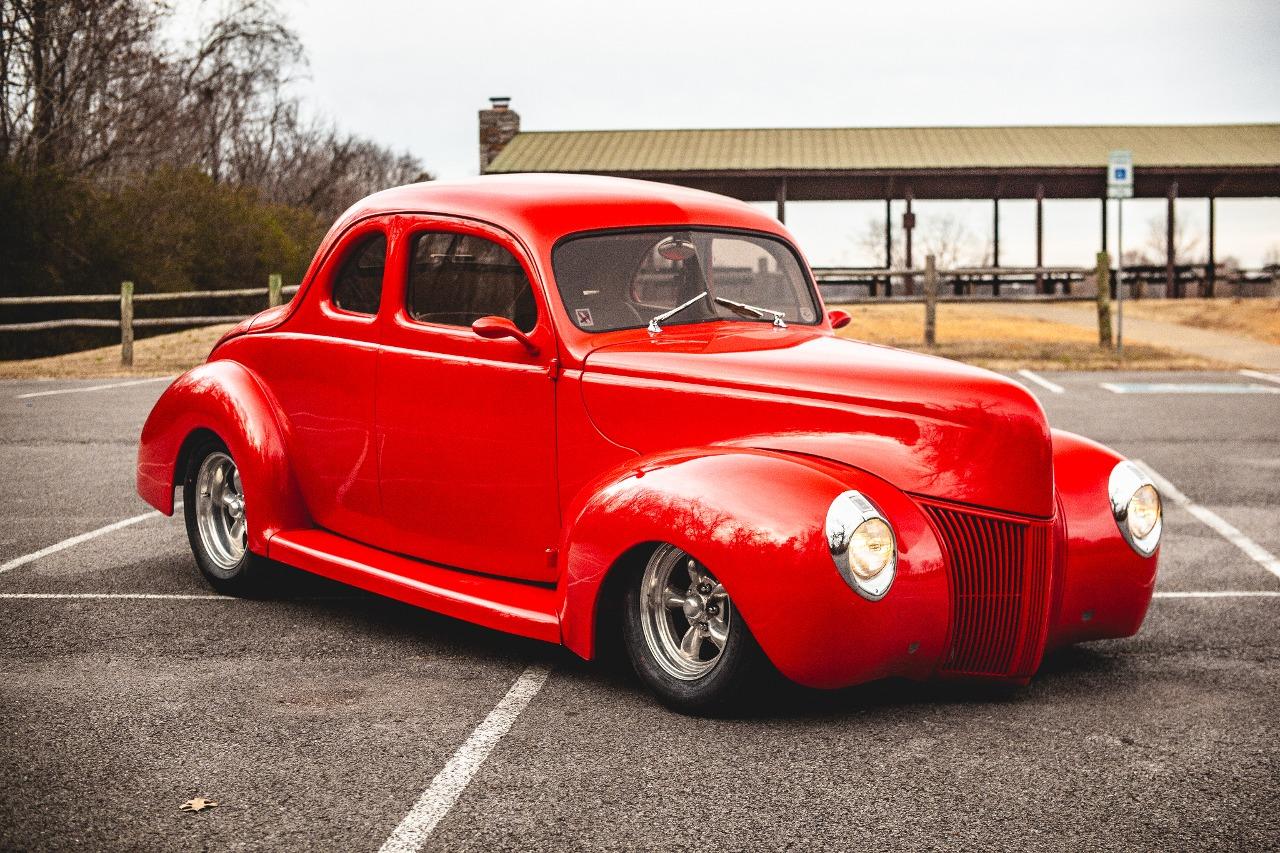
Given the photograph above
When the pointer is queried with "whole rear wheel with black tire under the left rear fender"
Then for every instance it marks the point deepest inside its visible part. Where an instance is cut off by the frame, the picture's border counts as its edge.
(217, 526)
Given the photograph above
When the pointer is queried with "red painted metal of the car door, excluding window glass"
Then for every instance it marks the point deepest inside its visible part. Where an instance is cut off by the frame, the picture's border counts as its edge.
(467, 435)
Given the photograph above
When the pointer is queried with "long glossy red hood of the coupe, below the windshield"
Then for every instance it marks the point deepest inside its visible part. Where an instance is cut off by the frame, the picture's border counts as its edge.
(929, 426)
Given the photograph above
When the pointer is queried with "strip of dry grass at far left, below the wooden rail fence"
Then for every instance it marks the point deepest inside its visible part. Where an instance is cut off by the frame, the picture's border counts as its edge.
(157, 357)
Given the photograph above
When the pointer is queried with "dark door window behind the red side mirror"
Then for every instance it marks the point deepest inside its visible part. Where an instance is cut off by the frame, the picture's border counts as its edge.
(456, 280)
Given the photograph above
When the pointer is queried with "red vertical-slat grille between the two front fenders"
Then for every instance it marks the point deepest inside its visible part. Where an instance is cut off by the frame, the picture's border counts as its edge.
(1000, 586)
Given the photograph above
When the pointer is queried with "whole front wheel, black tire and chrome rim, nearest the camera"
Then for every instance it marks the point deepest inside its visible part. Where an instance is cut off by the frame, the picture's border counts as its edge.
(685, 640)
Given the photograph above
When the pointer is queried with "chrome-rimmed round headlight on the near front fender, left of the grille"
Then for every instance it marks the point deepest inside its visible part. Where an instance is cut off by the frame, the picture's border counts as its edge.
(862, 545)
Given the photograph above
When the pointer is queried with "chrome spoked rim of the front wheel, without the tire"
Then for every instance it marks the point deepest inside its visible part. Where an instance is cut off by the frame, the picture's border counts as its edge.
(684, 613)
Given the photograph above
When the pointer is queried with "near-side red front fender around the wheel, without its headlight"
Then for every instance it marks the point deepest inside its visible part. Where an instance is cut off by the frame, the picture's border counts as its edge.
(757, 521)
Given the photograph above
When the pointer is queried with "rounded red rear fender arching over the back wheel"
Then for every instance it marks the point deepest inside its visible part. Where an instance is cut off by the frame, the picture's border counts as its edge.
(227, 400)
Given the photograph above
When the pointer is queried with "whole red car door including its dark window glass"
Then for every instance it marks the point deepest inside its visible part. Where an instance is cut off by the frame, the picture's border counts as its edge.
(465, 425)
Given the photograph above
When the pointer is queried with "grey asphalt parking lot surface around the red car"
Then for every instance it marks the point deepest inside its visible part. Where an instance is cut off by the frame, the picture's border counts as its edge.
(318, 718)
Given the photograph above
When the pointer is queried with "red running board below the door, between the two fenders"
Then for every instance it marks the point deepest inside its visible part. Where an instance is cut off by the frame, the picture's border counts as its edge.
(510, 606)
